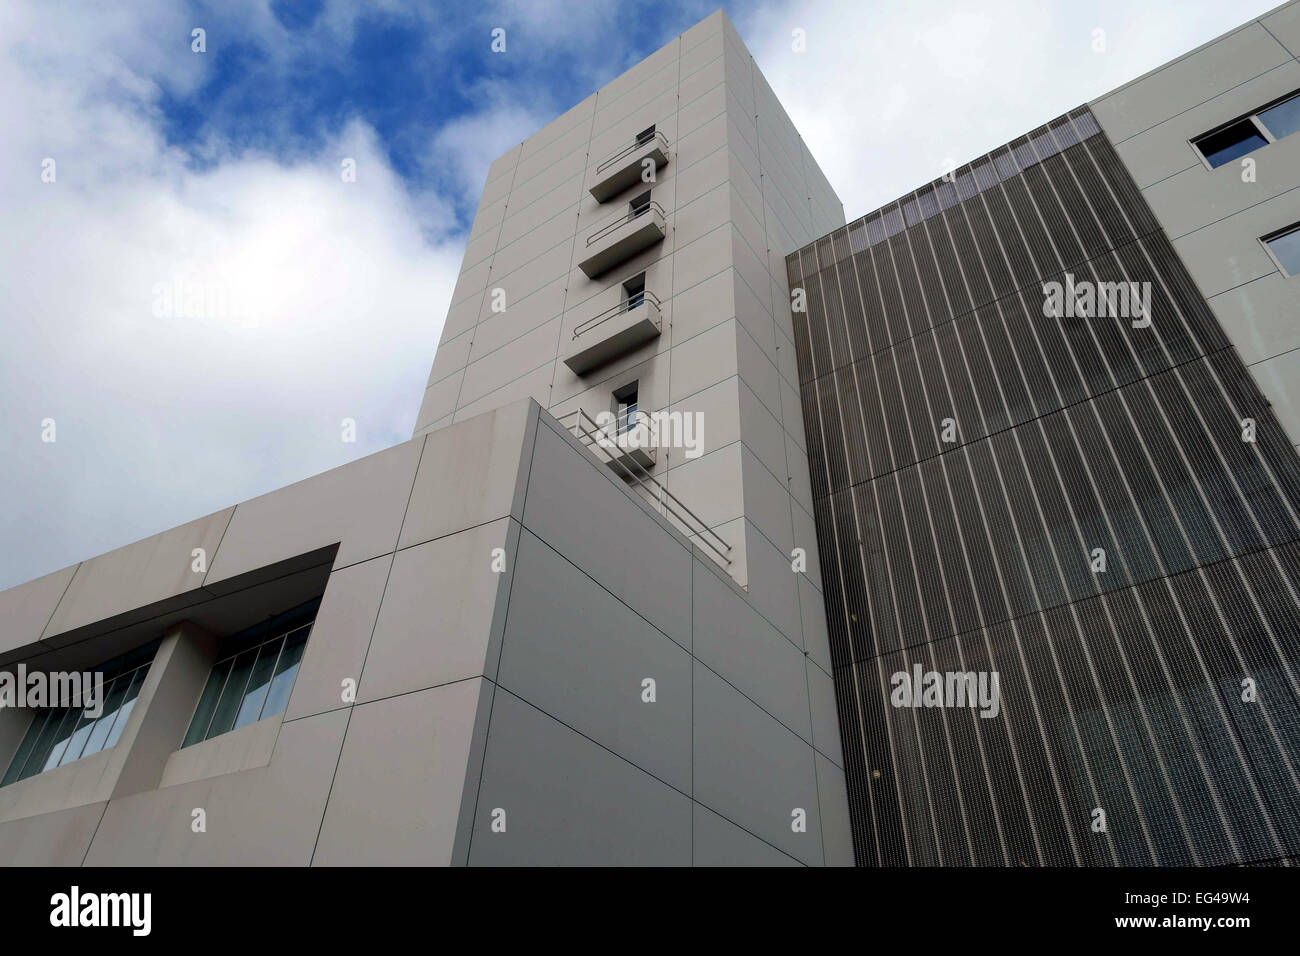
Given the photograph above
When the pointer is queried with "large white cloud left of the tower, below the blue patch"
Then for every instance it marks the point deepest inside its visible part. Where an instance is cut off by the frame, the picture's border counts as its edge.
(166, 416)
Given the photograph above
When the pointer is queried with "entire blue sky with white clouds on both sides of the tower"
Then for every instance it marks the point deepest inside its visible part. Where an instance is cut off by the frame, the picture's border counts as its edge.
(220, 172)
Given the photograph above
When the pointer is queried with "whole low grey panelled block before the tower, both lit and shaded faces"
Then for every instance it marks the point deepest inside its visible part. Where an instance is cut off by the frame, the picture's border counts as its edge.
(484, 680)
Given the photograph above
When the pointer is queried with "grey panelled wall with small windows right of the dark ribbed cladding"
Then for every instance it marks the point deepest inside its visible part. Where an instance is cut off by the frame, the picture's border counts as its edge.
(1214, 217)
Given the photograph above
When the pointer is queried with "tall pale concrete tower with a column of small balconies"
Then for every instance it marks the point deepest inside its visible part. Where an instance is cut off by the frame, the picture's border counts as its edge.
(632, 254)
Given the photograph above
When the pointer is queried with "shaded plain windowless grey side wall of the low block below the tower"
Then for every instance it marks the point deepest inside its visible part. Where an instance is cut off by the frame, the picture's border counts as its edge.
(742, 734)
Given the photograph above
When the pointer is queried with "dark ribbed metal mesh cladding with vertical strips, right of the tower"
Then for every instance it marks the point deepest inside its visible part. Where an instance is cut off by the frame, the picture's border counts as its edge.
(1150, 713)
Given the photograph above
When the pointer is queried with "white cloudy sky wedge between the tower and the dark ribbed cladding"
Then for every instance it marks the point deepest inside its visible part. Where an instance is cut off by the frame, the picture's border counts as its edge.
(886, 93)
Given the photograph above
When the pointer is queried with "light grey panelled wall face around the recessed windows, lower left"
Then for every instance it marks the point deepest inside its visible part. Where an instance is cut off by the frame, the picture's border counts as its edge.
(401, 546)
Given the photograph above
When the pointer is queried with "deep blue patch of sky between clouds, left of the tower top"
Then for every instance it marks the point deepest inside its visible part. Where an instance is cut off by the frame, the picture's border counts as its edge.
(292, 84)
